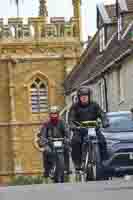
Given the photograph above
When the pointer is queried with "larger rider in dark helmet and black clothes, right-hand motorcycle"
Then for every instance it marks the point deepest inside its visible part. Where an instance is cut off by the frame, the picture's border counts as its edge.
(85, 110)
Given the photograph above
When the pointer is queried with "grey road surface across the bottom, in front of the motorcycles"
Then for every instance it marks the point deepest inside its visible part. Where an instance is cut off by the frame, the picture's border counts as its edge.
(116, 190)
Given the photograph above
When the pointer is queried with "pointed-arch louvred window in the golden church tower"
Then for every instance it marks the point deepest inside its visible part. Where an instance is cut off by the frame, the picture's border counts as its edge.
(39, 96)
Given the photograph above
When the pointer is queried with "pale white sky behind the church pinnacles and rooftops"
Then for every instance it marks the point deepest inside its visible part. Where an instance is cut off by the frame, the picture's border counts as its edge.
(58, 8)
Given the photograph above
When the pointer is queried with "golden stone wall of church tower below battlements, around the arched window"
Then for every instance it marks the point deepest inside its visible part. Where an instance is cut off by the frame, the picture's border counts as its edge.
(21, 61)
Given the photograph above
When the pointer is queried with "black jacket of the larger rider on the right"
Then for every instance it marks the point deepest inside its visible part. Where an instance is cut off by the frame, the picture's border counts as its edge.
(90, 112)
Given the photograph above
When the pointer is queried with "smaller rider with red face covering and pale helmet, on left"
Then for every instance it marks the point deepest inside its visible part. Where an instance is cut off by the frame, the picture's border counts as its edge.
(53, 128)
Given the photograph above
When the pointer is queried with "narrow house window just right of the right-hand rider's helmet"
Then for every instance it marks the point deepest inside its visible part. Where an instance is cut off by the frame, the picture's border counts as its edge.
(102, 96)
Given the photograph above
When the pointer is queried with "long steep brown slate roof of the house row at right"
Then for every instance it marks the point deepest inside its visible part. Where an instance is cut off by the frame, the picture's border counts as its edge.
(92, 64)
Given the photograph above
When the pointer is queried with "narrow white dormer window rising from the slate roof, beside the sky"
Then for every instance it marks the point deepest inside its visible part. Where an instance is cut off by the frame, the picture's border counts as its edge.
(102, 39)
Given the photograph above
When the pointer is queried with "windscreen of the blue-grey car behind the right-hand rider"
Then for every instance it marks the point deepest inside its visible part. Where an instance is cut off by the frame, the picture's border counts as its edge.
(120, 124)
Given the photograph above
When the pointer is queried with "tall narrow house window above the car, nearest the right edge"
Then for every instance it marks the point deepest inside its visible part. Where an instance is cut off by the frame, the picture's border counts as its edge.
(120, 84)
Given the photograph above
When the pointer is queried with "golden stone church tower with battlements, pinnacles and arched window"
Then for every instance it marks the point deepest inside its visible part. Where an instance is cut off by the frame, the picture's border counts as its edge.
(35, 57)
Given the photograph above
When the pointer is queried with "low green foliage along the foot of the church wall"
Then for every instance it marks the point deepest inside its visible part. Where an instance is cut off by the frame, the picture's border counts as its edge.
(26, 180)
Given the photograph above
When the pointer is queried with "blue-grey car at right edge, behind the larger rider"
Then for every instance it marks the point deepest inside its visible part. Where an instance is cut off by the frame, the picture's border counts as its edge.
(119, 143)
